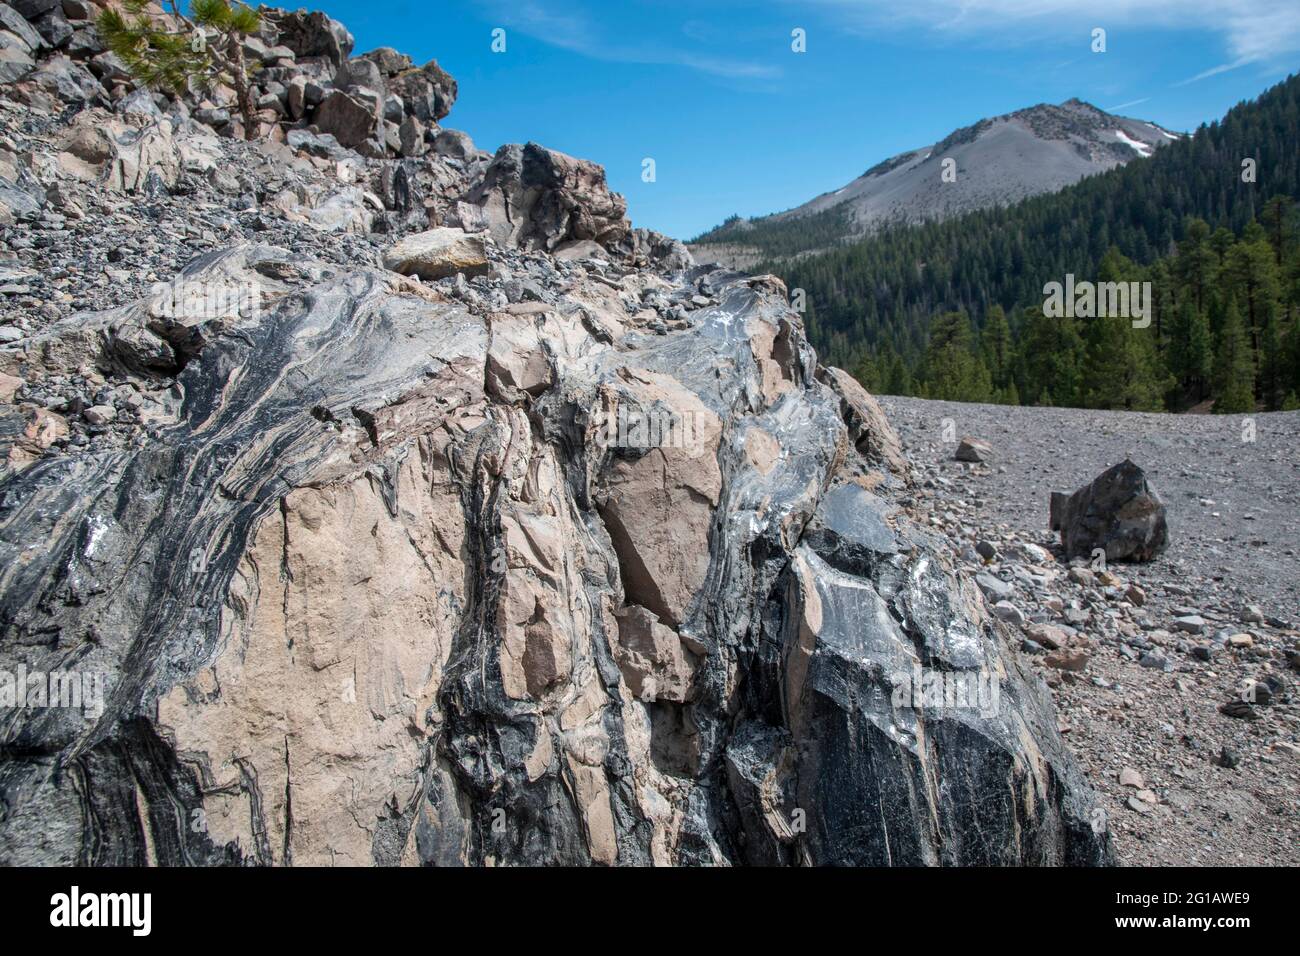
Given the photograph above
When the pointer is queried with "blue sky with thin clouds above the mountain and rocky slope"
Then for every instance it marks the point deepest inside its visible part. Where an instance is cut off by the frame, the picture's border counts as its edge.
(738, 123)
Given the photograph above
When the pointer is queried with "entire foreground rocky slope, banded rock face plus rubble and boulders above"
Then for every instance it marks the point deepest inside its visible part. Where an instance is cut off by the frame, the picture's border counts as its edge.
(415, 509)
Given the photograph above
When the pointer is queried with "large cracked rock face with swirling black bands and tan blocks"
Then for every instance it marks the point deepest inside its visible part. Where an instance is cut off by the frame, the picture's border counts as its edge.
(411, 574)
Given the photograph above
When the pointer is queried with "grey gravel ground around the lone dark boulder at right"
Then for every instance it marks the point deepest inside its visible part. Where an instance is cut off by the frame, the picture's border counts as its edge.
(1211, 789)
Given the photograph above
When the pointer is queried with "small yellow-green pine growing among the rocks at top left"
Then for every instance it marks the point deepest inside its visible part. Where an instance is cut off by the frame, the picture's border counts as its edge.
(172, 51)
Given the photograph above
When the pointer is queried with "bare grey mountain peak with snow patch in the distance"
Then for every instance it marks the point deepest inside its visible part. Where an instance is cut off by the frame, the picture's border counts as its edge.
(995, 162)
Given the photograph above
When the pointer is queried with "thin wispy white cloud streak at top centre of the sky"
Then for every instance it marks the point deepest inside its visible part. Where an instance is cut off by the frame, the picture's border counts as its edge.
(575, 32)
